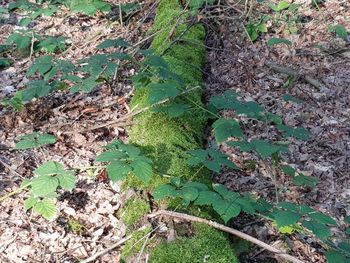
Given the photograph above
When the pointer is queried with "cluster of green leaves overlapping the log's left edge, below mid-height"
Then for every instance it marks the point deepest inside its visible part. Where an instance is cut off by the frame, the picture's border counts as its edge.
(124, 159)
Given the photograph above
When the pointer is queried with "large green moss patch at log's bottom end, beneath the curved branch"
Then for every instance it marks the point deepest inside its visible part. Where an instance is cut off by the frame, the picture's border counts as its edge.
(208, 245)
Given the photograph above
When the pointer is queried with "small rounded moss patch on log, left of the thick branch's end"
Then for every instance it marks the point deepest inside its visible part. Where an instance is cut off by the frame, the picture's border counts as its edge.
(133, 210)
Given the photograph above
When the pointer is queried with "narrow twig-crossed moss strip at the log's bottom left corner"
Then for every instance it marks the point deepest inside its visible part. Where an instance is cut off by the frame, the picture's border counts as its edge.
(134, 245)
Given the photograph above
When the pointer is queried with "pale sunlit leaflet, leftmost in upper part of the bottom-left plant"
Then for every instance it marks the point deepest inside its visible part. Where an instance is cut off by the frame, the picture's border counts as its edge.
(44, 185)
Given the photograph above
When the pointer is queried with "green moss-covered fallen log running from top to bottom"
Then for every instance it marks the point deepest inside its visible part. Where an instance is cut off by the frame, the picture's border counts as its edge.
(166, 140)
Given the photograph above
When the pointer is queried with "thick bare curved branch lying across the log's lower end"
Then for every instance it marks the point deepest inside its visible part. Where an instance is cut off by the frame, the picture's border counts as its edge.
(227, 230)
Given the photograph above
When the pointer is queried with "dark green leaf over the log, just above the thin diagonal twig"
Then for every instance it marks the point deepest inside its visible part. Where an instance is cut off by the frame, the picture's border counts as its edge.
(161, 91)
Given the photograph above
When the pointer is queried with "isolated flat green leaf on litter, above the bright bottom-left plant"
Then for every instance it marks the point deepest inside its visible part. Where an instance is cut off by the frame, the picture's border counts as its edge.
(34, 140)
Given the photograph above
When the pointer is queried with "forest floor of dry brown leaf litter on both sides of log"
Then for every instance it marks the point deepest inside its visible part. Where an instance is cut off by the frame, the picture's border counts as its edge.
(88, 220)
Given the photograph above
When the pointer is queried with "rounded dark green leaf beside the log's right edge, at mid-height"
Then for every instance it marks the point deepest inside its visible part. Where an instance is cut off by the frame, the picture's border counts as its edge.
(223, 129)
